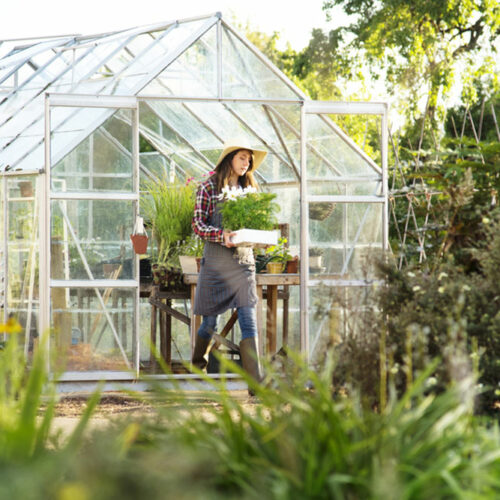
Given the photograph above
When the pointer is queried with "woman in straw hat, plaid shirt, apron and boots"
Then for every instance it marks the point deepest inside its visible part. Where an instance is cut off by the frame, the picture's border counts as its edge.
(227, 275)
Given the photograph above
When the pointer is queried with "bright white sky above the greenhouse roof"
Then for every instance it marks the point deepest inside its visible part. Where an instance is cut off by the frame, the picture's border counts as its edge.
(34, 18)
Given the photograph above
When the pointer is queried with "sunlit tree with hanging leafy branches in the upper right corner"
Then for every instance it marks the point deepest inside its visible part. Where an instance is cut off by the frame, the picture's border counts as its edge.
(420, 46)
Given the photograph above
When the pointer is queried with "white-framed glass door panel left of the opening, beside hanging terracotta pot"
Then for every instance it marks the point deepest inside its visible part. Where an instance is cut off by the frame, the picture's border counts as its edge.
(89, 279)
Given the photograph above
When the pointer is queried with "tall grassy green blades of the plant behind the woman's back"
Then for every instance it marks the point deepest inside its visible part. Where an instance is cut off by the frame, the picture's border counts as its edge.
(168, 209)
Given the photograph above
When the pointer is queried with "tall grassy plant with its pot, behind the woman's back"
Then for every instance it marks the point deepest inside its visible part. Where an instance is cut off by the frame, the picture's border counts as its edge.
(168, 211)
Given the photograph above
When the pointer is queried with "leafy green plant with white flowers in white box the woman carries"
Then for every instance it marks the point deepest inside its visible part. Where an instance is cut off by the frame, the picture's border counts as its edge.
(251, 214)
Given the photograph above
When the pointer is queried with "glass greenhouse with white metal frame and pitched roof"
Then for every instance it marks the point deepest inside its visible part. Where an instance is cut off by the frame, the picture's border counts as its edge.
(88, 122)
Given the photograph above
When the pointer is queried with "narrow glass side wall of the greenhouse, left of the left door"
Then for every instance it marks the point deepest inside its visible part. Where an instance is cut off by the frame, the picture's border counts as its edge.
(22, 248)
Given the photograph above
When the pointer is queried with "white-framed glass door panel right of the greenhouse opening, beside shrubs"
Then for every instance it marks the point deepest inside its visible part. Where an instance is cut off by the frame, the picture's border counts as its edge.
(344, 216)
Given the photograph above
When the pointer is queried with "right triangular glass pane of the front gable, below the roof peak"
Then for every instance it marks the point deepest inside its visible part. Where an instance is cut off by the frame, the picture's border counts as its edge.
(245, 75)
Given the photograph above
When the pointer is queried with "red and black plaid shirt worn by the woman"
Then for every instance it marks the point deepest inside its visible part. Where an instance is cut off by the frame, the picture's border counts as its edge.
(206, 200)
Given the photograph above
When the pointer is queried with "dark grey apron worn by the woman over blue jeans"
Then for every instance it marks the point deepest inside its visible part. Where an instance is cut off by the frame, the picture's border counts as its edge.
(227, 277)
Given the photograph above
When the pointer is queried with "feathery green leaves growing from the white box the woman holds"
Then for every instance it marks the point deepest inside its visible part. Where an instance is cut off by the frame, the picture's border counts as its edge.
(252, 211)
